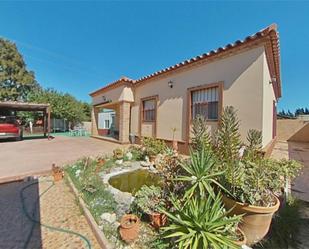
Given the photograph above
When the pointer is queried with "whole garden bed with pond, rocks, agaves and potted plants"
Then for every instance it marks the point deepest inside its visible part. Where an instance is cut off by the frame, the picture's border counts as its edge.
(225, 194)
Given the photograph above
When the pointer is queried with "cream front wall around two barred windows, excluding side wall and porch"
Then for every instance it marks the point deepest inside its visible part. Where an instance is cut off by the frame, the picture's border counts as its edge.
(242, 75)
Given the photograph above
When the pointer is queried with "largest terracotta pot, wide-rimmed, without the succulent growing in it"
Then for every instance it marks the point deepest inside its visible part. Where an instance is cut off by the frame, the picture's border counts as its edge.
(256, 220)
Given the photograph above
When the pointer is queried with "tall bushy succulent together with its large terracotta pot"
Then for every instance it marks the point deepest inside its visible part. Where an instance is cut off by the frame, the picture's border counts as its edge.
(249, 180)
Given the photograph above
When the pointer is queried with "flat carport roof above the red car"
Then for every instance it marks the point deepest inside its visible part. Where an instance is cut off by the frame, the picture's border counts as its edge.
(22, 106)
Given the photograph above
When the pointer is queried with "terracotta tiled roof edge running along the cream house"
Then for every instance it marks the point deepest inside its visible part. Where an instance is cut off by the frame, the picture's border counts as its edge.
(268, 36)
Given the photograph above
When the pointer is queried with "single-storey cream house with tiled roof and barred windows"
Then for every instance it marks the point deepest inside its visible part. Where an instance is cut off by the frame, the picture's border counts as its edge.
(244, 74)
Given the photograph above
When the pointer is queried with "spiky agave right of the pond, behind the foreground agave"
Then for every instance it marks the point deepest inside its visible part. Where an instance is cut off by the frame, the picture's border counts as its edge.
(202, 173)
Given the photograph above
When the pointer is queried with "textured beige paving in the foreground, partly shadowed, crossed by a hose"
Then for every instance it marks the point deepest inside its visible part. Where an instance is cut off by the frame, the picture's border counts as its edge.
(57, 207)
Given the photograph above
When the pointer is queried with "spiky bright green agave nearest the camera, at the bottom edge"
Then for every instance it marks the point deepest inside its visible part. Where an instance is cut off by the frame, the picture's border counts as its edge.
(200, 223)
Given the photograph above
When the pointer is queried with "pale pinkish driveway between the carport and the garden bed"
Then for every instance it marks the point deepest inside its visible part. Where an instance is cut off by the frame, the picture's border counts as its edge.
(35, 156)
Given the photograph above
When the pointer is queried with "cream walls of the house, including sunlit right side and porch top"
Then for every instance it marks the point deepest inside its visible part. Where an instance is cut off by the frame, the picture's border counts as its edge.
(246, 87)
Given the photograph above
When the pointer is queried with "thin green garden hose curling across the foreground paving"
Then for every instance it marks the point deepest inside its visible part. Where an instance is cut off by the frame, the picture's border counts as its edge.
(32, 219)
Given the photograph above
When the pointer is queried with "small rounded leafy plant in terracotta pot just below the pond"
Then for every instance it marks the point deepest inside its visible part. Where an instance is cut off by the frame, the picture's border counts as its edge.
(148, 200)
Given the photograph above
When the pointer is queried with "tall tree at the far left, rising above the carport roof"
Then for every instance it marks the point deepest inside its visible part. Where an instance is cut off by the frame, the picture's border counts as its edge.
(15, 80)
